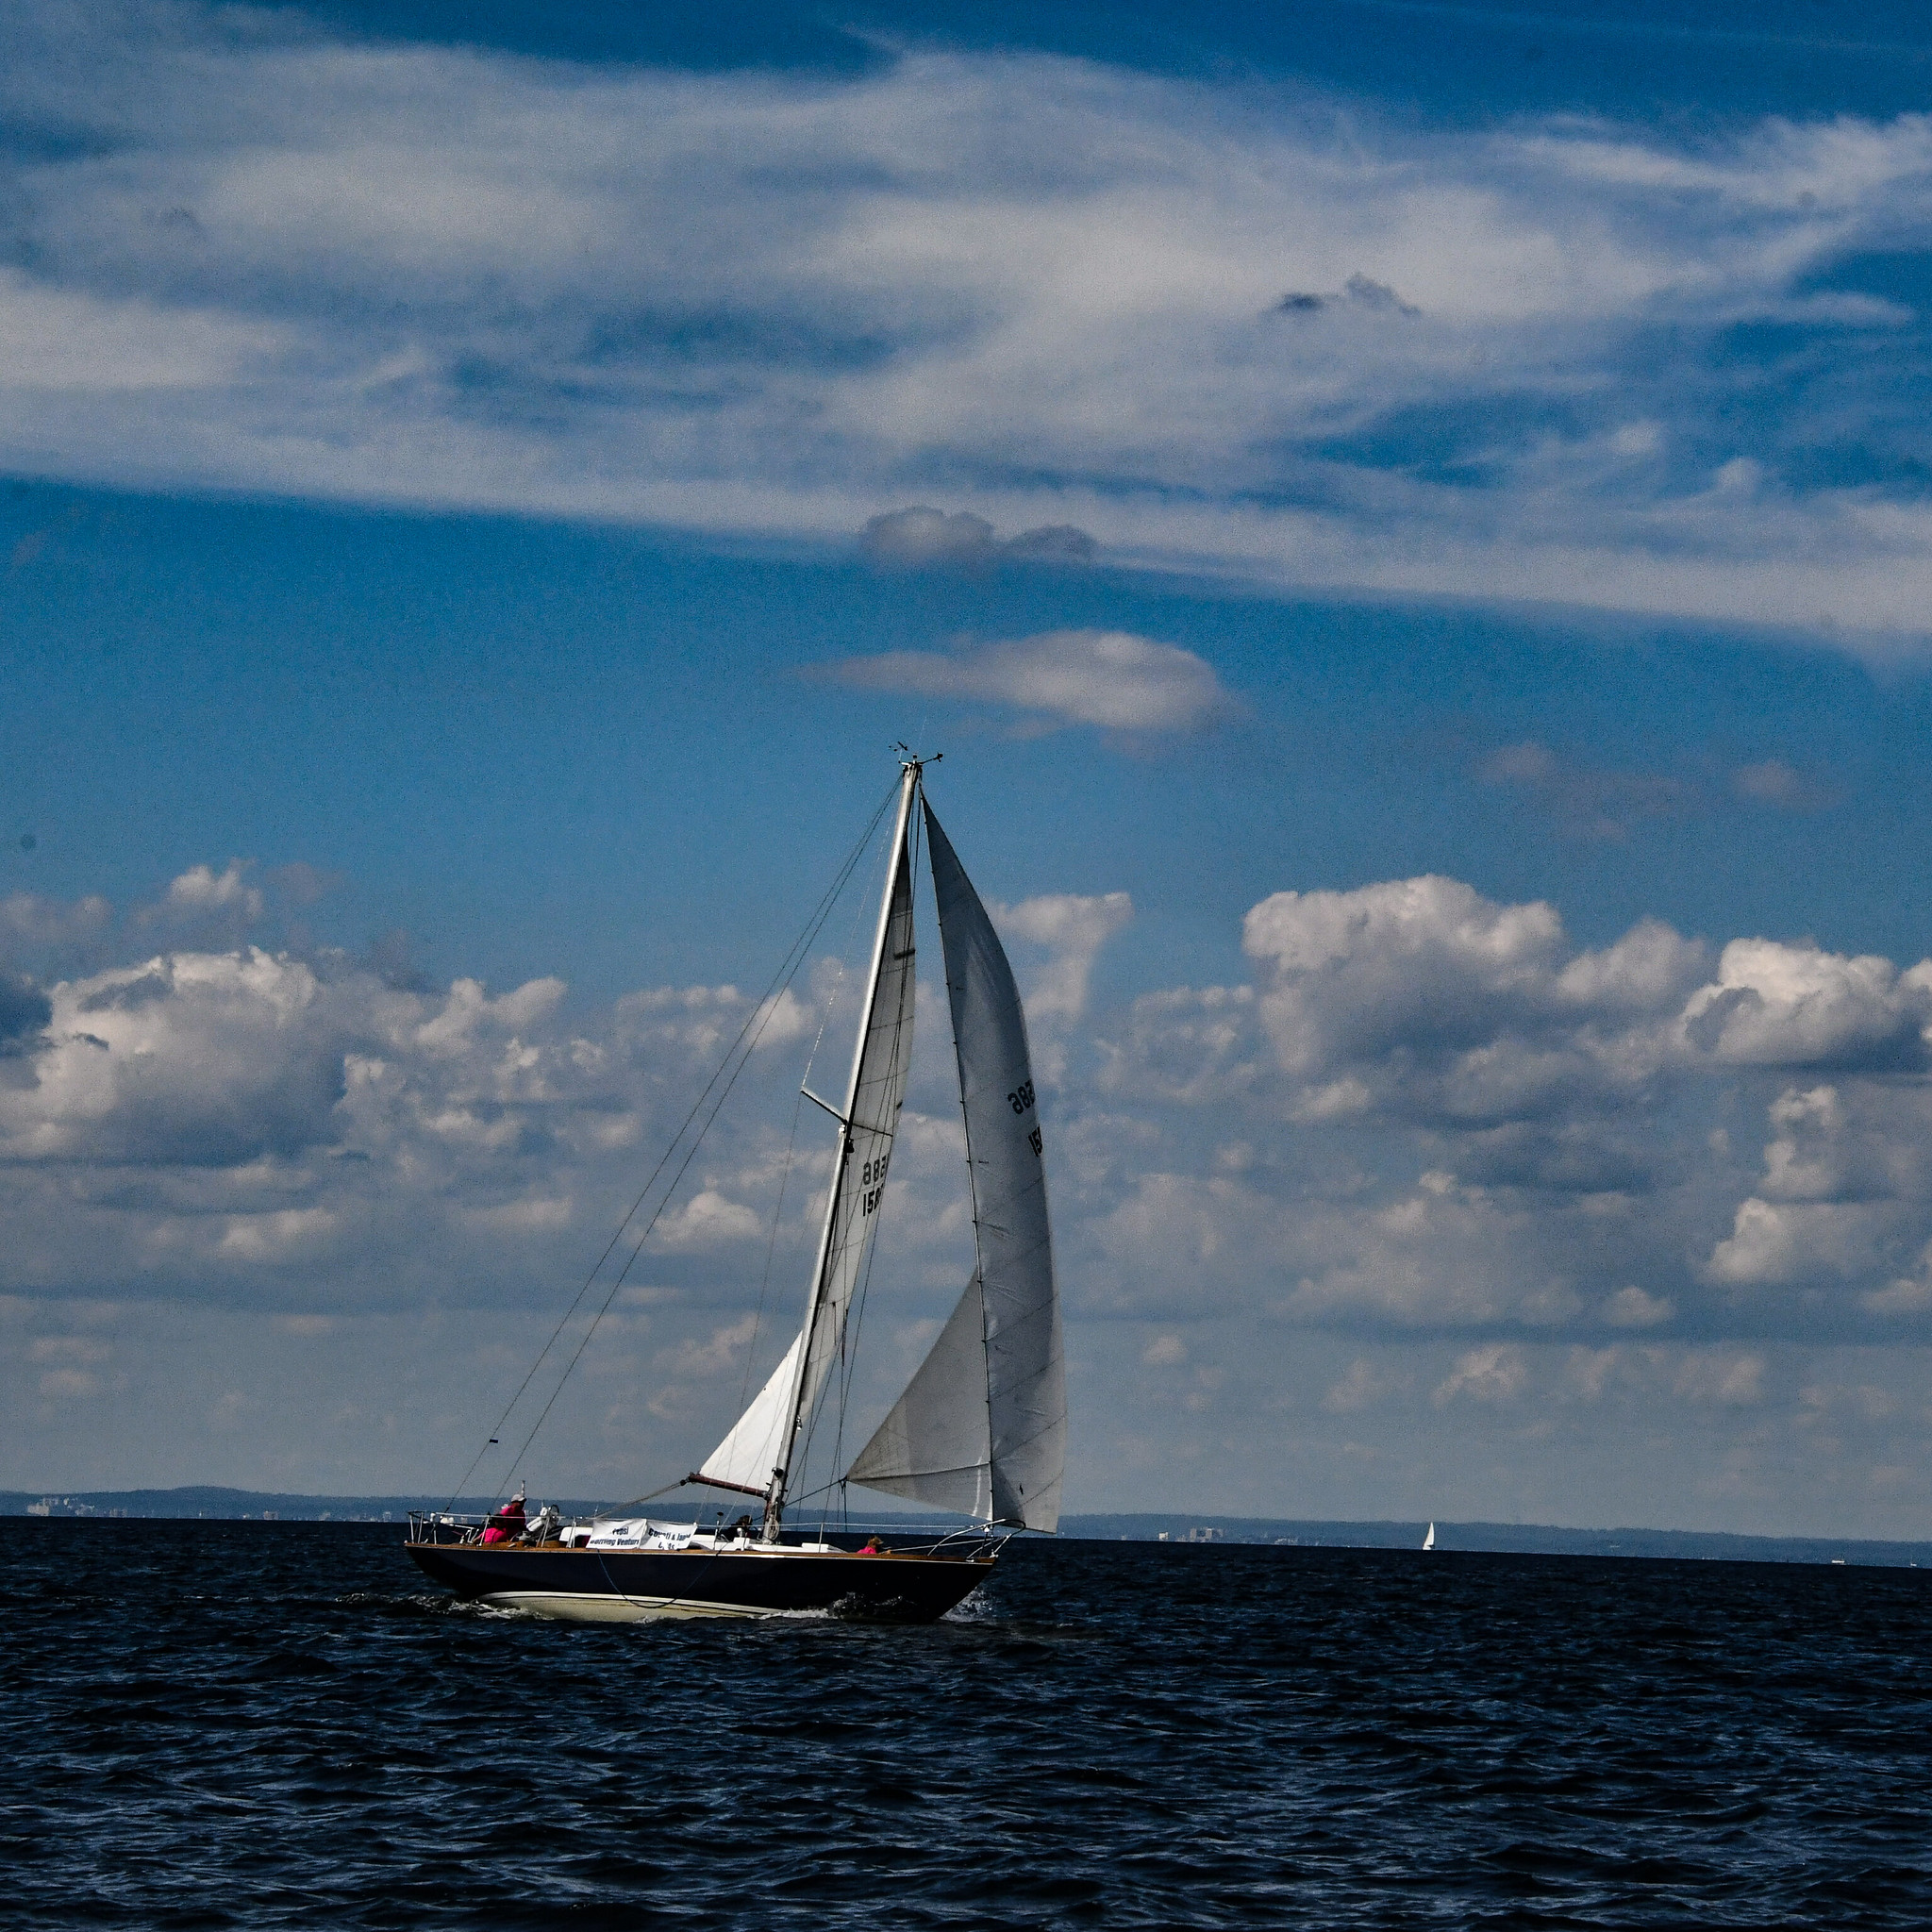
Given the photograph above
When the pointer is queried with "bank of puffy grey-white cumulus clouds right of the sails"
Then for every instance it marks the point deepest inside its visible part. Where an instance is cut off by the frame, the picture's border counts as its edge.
(1558, 1102)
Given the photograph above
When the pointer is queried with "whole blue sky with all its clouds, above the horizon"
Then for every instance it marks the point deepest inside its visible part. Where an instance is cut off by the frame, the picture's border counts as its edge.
(1411, 526)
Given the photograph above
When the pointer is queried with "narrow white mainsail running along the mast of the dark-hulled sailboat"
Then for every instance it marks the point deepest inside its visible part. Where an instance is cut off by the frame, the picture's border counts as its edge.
(760, 1442)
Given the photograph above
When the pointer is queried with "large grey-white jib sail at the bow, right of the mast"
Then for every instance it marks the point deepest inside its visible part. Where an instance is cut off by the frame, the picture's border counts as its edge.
(992, 1421)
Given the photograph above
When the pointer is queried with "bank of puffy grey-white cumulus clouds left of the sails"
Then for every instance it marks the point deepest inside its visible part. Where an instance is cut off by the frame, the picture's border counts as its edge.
(256, 1127)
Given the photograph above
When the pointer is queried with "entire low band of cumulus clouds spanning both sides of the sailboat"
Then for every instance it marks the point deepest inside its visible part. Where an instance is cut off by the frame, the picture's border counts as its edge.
(1435, 1164)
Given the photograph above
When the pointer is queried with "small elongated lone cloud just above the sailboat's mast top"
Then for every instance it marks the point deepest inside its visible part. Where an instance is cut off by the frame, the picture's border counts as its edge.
(1064, 677)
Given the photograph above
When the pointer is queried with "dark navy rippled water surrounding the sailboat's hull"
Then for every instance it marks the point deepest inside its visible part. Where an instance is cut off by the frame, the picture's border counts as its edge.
(219, 1724)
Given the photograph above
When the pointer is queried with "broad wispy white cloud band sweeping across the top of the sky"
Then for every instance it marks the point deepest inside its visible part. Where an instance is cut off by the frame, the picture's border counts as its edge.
(1197, 324)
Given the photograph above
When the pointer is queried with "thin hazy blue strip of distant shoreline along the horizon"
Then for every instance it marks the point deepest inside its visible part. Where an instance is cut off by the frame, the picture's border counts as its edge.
(1500, 1539)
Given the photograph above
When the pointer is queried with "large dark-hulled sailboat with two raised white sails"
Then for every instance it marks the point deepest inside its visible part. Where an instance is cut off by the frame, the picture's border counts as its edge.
(979, 1433)
